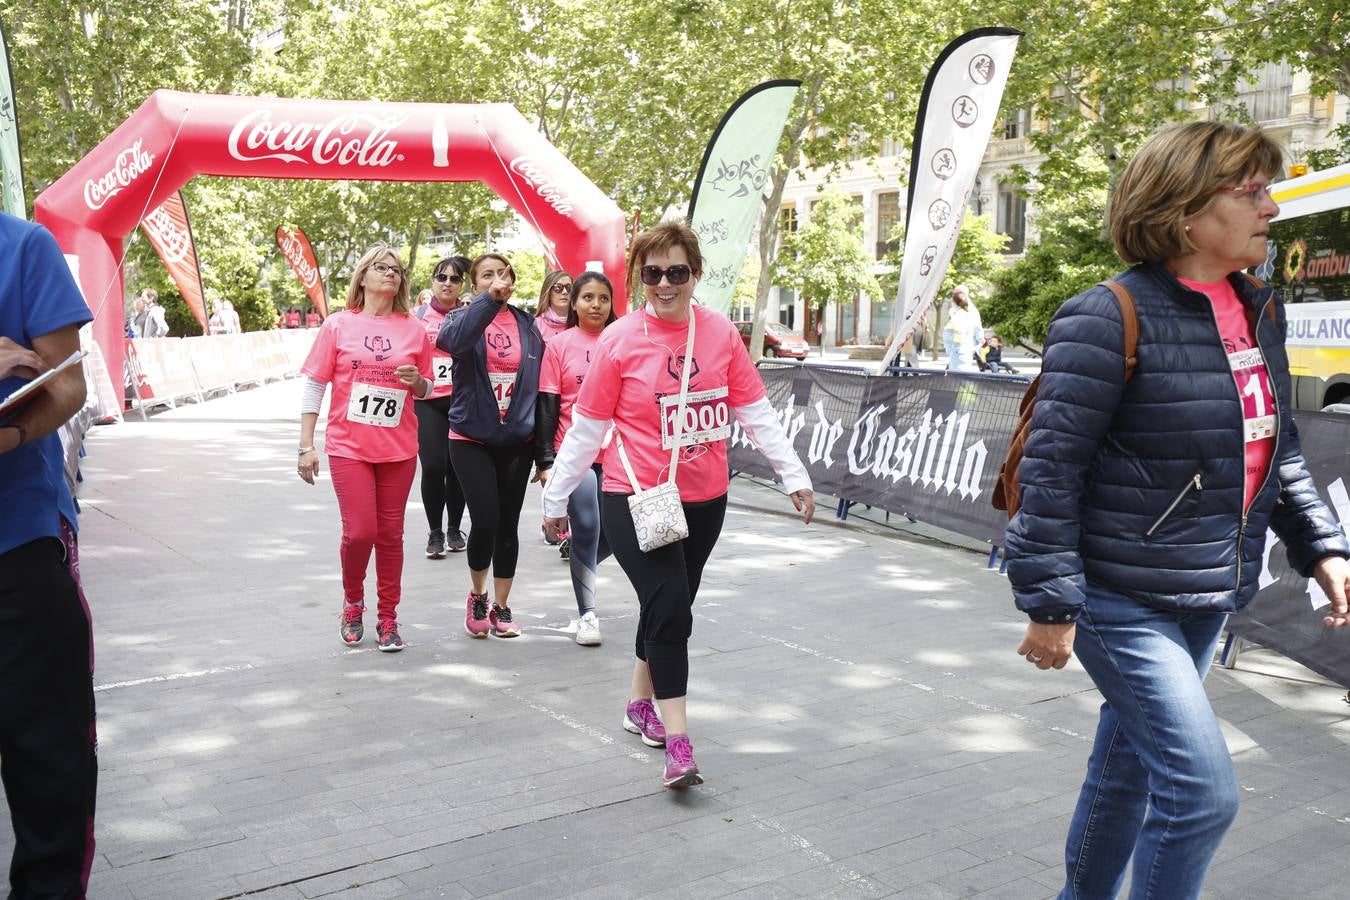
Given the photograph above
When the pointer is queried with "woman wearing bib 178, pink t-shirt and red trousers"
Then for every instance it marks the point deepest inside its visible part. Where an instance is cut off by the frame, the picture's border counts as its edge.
(377, 358)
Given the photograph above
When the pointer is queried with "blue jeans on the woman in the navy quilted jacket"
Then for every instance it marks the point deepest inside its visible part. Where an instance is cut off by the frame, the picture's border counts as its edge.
(1160, 782)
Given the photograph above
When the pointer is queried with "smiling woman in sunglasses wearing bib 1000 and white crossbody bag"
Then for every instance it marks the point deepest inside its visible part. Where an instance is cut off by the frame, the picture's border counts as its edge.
(637, 380)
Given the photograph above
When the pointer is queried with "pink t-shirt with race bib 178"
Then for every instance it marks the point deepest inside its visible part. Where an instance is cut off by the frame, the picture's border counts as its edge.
(369, 415)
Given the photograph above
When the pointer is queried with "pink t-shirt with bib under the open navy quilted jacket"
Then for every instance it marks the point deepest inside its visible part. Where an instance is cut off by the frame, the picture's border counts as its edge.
(1260, 419)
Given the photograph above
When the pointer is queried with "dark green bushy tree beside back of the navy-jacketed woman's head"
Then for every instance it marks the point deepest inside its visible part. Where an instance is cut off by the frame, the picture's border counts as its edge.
(1071, 257)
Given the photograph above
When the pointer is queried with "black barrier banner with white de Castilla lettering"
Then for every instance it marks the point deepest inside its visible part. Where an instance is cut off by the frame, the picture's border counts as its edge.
(929, 446)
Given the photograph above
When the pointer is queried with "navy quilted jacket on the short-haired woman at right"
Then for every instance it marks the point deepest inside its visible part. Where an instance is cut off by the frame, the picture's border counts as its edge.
(1137, 486)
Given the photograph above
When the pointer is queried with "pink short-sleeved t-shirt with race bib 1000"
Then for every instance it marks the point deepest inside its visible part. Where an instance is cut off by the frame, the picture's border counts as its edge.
(635, 380)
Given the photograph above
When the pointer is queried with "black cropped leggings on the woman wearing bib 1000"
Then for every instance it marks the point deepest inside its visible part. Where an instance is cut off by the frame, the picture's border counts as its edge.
(666, 582)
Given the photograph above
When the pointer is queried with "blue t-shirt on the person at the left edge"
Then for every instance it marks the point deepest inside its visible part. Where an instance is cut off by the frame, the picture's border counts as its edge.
(38, 296)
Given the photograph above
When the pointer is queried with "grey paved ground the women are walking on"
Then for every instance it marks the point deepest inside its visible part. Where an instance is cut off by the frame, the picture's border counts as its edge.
(855, 702)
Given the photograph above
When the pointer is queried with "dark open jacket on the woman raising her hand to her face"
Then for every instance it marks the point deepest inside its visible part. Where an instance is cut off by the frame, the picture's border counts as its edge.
(473, 408)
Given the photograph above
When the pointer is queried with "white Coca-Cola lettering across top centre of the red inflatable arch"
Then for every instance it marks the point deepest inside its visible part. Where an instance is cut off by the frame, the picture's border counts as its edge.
(349, 140)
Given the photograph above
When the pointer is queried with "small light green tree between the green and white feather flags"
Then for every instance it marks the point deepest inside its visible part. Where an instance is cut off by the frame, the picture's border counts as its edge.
(827, 261)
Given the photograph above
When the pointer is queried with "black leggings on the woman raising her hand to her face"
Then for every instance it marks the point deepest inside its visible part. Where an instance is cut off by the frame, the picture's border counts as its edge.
(495, 481)
